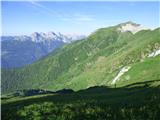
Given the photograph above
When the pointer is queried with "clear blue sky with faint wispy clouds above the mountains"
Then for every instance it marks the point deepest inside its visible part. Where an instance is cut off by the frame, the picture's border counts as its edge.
(74, 17)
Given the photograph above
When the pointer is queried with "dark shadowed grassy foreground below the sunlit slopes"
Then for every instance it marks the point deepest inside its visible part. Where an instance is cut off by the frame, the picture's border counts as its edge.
(139, 101)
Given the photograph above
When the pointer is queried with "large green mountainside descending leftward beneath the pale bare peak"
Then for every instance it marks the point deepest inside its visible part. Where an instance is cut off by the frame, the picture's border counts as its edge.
(91, 62)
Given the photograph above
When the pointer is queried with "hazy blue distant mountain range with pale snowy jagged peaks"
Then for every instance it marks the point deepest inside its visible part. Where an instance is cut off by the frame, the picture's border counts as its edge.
(18, 51)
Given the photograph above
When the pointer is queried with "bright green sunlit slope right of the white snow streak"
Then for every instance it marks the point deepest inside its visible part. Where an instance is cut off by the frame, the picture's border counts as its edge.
(148, 70)
